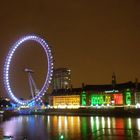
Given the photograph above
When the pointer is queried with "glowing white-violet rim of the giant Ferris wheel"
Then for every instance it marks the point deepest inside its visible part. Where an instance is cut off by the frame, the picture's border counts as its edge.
(48, 78)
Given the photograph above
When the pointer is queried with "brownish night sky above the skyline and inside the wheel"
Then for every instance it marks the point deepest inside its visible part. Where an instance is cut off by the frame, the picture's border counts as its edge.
(92, 38)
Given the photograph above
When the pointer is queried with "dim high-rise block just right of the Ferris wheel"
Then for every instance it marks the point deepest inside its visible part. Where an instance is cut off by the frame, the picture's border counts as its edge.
(61, 79)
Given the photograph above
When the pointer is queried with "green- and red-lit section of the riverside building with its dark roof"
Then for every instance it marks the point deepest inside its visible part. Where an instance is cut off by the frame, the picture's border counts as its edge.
(108, 95)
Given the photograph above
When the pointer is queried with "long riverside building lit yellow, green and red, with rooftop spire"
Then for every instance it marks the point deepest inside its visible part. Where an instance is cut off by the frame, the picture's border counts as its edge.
(107, 95)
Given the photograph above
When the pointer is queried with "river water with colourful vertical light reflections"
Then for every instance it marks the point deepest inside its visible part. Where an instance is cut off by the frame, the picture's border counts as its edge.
(36, 127)
